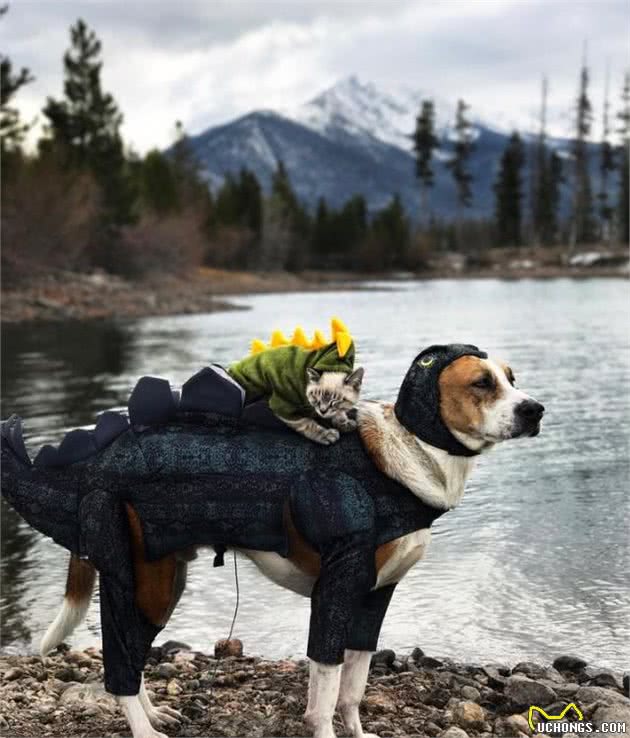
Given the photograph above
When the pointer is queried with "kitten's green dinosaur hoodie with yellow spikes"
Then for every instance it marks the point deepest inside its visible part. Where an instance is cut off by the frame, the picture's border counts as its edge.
(279, 375)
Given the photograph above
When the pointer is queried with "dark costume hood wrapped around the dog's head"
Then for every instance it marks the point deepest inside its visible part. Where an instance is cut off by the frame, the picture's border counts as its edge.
(418, 403)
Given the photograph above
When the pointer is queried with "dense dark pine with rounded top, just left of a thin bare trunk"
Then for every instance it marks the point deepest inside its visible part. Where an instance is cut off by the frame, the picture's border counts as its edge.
(509, 193)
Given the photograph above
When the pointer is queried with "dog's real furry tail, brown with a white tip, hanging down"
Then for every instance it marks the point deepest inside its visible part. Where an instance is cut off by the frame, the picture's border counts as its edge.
(79, 586)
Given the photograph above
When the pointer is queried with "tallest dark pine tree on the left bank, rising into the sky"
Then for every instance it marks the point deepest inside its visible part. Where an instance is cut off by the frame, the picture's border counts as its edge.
(85, 125)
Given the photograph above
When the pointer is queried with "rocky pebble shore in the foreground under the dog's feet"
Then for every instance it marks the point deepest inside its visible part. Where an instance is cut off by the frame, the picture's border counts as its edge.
(236, 695)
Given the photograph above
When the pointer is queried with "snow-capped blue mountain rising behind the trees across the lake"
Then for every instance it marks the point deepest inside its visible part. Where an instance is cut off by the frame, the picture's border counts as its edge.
(354, 138)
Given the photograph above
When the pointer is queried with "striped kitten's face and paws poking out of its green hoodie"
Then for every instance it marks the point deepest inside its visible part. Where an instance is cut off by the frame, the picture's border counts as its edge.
(332, 395)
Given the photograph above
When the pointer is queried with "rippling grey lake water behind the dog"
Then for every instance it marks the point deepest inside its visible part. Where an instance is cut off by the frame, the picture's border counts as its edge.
(534, 562)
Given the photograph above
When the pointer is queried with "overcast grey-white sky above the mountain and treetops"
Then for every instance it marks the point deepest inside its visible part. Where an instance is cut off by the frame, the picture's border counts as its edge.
(208, 62)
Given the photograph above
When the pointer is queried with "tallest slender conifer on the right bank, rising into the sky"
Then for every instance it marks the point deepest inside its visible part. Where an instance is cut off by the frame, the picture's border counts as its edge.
(582, 227)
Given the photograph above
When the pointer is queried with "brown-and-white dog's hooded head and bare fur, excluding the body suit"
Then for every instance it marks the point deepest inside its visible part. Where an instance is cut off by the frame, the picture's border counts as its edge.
(477, 406)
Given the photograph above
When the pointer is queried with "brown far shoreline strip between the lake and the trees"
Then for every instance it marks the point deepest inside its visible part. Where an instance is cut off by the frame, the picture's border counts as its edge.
(61, 295)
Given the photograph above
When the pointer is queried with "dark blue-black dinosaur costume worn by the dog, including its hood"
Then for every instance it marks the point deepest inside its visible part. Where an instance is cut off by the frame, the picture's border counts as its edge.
(204, 469)
